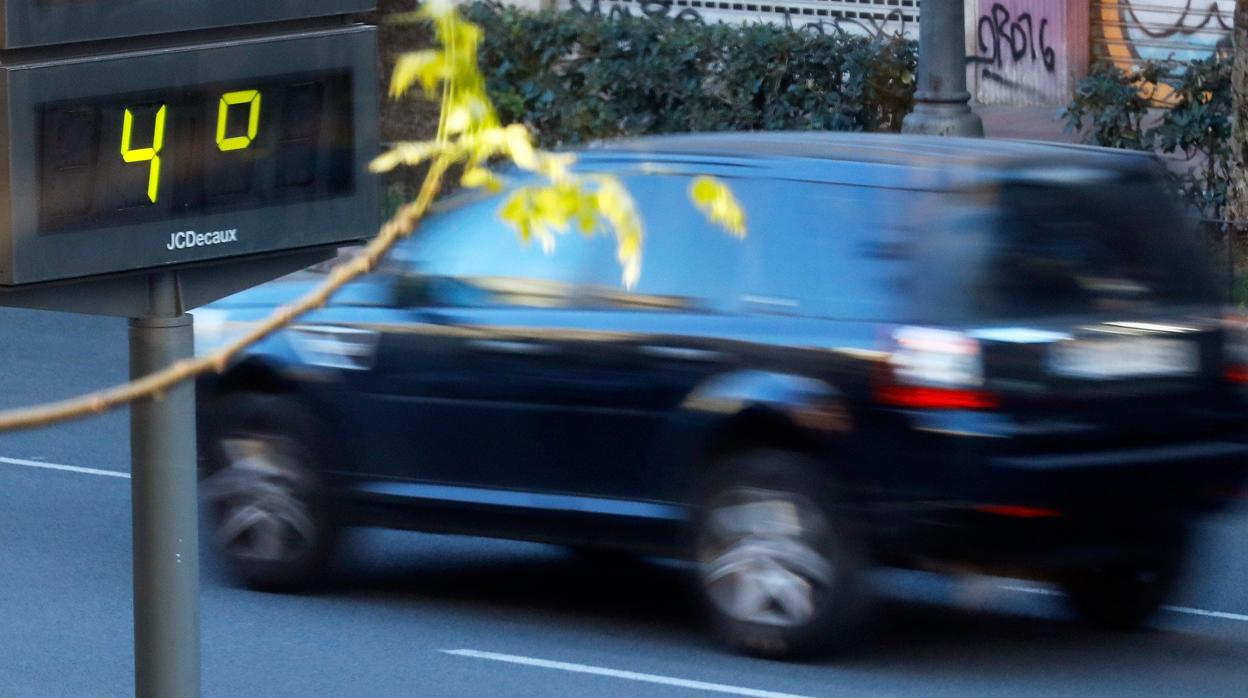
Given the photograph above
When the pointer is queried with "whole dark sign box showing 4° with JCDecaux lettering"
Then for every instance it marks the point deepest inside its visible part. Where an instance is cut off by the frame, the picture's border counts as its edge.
(134, 160)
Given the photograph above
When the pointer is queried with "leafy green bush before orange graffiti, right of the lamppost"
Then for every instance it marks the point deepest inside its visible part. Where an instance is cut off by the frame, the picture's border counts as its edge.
(1111, 108)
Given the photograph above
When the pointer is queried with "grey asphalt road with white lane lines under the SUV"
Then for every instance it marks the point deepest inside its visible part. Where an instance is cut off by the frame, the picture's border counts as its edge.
(429, 616)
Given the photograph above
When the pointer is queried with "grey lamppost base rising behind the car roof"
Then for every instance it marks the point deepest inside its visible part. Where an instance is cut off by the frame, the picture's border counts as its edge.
(942, 98)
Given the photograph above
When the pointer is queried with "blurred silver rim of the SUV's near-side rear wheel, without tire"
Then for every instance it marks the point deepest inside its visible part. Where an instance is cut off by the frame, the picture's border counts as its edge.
(763, 558)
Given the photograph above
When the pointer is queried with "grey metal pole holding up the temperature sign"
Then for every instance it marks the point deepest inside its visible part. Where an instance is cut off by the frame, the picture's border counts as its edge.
(164, 504)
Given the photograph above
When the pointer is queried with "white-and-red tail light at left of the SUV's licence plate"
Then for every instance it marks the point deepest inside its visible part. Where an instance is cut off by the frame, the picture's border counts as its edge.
(932, 369)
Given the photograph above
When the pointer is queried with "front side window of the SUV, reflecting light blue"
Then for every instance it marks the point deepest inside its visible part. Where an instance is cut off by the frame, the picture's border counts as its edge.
(470, 258)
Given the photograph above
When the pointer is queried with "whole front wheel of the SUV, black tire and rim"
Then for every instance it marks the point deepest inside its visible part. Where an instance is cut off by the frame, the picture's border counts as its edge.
(271, 514)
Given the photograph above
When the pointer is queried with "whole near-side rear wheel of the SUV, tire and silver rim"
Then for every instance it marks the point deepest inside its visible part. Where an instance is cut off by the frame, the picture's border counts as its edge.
(779, 568)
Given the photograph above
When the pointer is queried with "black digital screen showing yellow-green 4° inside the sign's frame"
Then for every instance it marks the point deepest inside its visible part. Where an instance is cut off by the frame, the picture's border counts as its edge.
(169, 154)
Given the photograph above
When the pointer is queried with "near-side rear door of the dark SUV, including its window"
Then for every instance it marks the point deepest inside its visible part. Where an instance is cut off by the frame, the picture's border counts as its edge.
(642, 350)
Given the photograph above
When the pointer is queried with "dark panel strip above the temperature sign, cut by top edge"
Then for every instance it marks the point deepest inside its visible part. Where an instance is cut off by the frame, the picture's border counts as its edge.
(42, 23)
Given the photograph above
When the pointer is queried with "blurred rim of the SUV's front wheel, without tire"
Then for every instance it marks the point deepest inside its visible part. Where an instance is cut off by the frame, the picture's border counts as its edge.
(261, 496)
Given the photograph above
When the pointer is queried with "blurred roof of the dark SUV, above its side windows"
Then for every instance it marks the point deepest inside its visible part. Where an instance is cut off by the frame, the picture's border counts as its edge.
(882, 159)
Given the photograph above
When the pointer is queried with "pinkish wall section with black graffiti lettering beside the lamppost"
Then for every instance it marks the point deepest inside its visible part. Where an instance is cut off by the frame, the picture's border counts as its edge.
(1019, 51)
